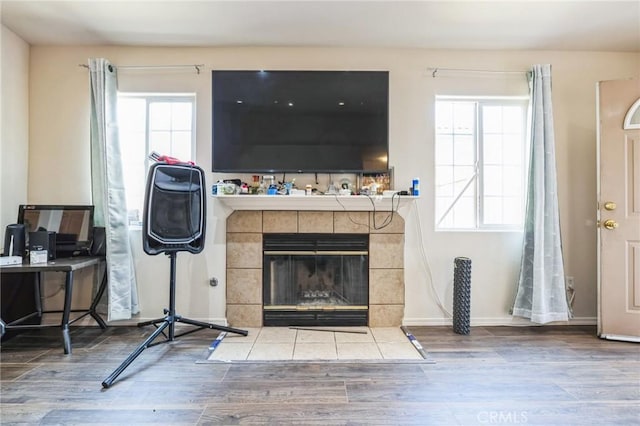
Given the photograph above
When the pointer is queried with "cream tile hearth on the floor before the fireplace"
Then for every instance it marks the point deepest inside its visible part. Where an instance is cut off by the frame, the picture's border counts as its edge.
(286, 344)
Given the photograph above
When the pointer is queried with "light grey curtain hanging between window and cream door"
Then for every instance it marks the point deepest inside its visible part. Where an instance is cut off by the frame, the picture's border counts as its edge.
(541, 294)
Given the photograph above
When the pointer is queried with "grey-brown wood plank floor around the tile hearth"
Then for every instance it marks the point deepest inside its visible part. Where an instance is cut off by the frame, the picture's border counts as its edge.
(496, 375)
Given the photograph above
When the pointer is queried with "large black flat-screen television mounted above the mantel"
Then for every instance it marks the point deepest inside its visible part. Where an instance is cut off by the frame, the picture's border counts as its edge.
(300, 121)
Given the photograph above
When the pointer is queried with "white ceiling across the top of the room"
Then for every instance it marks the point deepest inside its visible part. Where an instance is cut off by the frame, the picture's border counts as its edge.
(523, 25)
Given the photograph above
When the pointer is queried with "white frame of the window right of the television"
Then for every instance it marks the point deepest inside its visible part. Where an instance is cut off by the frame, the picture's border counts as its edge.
(478, 178)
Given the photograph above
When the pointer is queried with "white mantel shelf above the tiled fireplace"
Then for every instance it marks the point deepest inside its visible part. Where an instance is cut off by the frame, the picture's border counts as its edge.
(314, 202)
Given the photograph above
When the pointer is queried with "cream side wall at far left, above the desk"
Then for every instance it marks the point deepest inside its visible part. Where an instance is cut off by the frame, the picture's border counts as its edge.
(14, 142)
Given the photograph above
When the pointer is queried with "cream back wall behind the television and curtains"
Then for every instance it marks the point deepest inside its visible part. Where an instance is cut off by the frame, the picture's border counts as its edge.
(59, 125)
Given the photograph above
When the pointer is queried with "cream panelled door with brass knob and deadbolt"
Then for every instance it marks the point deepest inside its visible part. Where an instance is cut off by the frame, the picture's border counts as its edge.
(619, 210)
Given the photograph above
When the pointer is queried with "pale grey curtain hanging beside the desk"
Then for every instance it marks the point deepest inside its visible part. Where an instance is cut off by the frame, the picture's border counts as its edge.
(107, 190)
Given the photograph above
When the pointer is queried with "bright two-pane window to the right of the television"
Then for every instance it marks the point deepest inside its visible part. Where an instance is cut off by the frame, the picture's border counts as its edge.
(479, 162)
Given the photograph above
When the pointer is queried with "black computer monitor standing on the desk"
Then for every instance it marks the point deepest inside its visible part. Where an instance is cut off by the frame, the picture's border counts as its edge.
(73, 225)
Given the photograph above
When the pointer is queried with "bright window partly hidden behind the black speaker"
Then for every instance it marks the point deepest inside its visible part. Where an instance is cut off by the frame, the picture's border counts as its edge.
(147, 122)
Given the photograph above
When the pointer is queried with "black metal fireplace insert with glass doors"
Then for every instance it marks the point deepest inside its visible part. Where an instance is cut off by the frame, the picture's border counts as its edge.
(315, 279)
